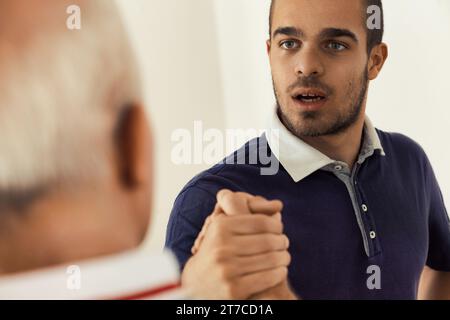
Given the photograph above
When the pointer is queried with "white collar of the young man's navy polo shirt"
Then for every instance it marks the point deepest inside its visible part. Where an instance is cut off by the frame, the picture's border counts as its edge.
(300, 159)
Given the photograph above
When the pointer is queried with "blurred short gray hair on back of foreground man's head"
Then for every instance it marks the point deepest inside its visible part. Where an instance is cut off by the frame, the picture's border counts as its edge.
(60, 94)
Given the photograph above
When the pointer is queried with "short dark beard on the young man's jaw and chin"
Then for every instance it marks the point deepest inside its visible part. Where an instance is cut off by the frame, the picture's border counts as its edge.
(340, 125)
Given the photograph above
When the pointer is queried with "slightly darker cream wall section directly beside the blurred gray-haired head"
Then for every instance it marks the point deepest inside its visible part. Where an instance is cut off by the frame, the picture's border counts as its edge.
(176, 44)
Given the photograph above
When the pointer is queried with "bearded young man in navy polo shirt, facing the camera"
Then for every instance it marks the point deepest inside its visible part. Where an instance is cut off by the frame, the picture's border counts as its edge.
(362, 208)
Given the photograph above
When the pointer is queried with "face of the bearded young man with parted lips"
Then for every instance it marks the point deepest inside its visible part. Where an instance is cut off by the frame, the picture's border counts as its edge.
(318, 55)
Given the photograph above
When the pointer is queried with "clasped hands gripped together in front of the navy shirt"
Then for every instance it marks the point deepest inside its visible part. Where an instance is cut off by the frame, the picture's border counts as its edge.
(241, 252)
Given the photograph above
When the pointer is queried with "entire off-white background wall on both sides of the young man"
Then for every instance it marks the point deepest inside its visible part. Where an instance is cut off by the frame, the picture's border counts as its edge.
(206, 60)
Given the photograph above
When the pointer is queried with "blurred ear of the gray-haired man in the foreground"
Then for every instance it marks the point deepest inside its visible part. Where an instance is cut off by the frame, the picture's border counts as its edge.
(134, 147)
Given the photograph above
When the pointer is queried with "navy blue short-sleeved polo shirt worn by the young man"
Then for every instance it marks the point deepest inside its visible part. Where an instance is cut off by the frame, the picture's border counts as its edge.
(386, 213)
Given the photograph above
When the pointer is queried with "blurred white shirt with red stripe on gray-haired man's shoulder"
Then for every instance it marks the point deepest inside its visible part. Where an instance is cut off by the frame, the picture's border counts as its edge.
(135, 274)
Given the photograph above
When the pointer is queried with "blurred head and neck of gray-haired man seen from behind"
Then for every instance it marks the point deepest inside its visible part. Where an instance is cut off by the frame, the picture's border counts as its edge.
(75, 171)
